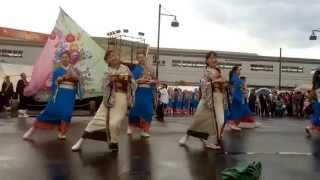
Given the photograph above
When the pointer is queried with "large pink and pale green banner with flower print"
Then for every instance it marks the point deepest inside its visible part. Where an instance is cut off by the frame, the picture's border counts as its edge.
(86, 56)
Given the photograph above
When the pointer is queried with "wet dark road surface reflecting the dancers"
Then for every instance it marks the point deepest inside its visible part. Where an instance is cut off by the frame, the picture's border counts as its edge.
(280, 145)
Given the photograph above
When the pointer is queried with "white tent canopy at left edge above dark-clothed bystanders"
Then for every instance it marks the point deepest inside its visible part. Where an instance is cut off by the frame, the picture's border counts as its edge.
(14, 71)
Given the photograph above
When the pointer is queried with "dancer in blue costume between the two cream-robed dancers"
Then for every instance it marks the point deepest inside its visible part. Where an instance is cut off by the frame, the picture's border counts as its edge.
(140, 115)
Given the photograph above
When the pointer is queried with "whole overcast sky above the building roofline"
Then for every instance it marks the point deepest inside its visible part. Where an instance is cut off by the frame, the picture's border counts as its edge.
(255, 26)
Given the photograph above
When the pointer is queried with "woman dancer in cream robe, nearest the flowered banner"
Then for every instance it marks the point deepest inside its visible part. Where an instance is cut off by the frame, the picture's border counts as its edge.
(118, 87)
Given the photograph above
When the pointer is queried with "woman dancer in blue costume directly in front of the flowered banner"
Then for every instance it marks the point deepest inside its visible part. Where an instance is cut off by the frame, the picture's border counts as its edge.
(58, 112)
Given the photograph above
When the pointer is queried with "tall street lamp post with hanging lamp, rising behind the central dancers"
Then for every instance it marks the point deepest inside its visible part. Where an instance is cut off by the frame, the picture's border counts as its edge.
(174, 23)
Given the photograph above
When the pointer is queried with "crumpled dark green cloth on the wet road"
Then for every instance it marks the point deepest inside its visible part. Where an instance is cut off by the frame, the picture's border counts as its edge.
(243, 171)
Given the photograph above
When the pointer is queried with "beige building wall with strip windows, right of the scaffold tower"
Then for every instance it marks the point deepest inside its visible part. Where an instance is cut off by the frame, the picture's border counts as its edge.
(185, 65)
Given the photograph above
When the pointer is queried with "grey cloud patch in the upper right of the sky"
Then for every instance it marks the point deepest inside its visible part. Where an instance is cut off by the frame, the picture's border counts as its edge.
(273, 22)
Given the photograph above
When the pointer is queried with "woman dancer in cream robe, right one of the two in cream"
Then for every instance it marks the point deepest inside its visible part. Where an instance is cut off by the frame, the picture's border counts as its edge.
(208, 119)
